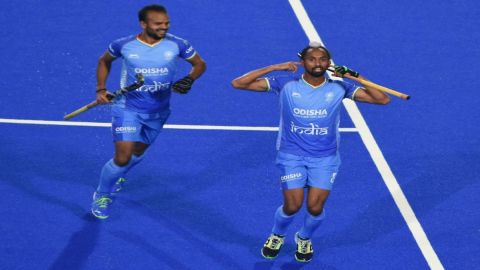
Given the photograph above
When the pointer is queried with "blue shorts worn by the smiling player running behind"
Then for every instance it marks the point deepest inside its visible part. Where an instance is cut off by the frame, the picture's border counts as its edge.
(137, 127)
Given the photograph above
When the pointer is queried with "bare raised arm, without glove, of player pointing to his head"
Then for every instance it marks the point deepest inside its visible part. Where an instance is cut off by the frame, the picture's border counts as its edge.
(253, 80)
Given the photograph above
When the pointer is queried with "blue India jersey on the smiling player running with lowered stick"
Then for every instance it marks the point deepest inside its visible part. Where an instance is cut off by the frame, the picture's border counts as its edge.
(157, 63)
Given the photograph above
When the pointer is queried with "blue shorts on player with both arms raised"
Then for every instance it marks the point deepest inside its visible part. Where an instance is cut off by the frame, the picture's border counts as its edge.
(299, 172)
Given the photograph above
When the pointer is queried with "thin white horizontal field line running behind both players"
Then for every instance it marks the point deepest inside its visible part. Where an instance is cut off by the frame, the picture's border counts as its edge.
(99, 124)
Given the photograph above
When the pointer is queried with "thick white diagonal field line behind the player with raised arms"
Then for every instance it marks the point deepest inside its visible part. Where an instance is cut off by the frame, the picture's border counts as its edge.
(377, 156)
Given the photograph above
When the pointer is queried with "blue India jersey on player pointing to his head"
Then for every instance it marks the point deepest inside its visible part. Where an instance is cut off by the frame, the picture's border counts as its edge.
(309, 116)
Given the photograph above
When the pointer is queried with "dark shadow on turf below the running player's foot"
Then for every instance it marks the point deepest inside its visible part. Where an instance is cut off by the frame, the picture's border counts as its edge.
(79, 247)
